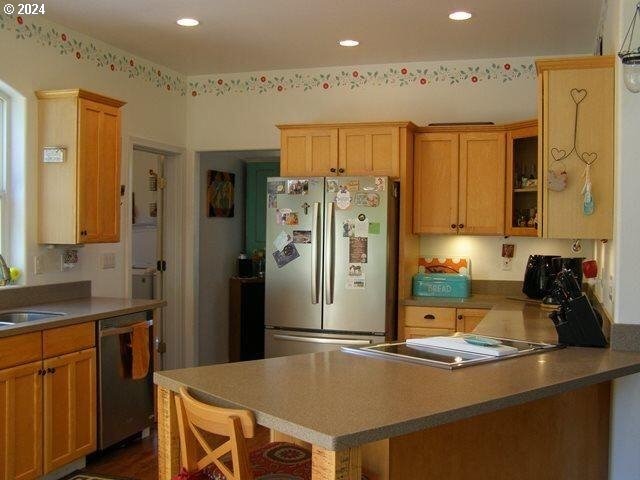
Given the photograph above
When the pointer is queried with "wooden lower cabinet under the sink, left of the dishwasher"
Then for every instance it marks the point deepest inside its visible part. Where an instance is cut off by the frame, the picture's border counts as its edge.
(47, 407)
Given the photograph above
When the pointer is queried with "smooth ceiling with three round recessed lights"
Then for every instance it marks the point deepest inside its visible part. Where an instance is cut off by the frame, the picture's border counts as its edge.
(252, 35)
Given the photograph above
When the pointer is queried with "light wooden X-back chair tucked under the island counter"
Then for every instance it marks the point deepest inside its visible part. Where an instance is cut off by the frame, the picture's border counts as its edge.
(232, 460)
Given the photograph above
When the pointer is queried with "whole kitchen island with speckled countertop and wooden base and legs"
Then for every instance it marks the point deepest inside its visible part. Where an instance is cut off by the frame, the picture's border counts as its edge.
(539, 416)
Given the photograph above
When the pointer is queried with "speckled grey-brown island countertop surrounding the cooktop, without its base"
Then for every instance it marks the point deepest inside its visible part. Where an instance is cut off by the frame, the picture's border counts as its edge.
(337, 400)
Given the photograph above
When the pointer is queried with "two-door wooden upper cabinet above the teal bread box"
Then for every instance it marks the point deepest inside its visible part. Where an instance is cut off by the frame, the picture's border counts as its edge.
(459, 181)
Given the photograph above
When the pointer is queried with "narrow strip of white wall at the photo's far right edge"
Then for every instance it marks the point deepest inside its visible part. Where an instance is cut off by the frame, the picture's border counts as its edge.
(625, 441)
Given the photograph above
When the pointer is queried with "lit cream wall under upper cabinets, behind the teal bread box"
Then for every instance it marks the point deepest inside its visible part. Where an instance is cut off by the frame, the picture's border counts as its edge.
(485, 252)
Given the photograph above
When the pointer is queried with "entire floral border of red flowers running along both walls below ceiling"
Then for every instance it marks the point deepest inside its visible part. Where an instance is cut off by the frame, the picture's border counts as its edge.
(417, 75)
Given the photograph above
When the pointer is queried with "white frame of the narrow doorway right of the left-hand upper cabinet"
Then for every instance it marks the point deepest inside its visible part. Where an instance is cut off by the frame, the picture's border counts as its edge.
(177, 289)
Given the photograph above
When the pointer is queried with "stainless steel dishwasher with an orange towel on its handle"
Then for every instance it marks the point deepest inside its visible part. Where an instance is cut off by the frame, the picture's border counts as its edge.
(125, 405)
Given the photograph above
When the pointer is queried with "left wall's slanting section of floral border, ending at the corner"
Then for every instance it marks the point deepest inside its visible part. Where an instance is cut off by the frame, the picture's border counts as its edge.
(85, 49)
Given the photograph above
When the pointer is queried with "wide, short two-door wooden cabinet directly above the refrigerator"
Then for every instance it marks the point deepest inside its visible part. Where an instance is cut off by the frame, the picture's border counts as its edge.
(343, 149)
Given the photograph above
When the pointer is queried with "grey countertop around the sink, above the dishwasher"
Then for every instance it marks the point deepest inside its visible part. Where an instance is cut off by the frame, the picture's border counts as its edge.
(78, 310)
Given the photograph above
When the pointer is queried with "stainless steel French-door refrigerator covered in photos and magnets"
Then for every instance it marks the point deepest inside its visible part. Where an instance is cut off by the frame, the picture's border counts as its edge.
(331, 263)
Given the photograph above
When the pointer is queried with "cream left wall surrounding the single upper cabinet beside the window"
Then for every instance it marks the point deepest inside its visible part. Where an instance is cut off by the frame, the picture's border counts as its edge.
(29, 64)
